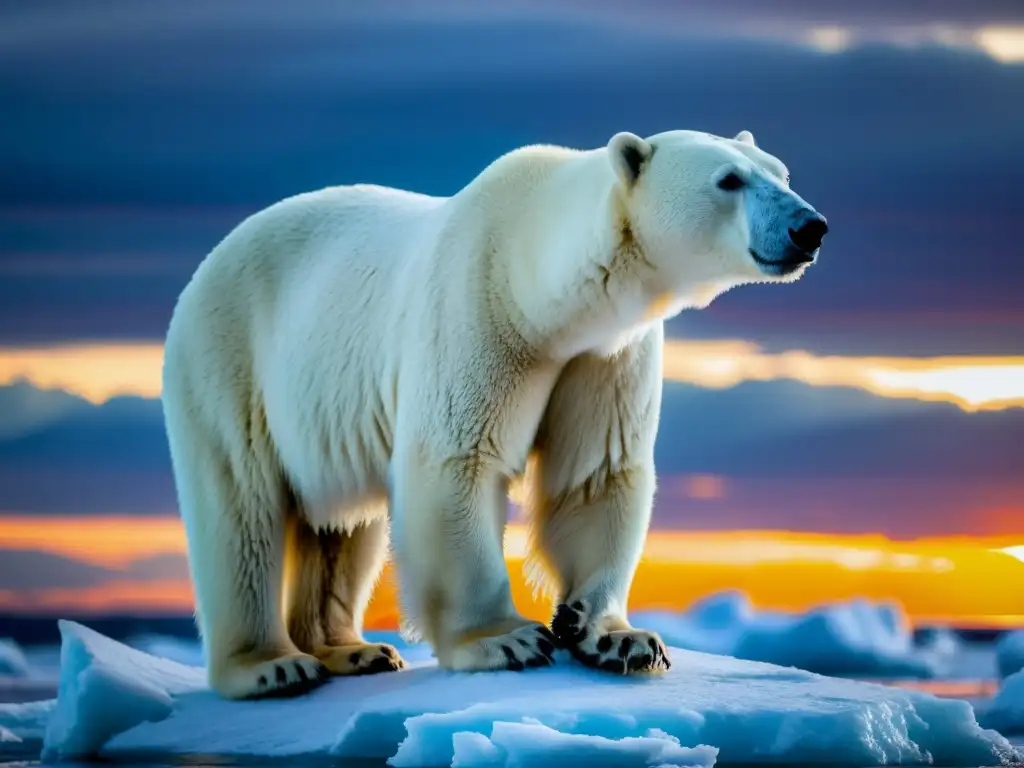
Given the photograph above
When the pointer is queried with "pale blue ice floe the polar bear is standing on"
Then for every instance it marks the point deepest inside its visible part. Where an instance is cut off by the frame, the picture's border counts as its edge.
(116, 702)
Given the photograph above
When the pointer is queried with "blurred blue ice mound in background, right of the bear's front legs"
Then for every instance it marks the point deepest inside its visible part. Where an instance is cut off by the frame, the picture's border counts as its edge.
(848, 638)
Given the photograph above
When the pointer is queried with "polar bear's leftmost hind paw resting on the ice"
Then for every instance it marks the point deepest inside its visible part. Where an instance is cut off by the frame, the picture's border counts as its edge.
(290, 675)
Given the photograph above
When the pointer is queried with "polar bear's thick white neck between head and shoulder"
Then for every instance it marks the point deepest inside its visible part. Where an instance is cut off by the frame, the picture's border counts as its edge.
(576, 273)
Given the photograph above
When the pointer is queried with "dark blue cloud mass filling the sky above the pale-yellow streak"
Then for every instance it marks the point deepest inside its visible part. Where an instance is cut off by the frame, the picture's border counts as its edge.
(209, 111)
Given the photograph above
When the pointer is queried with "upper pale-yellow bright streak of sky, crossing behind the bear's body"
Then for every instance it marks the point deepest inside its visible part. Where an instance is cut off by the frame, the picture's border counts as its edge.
(100, 372)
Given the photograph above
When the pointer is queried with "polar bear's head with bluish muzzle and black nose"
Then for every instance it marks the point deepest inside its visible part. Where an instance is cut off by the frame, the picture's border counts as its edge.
(710, 214)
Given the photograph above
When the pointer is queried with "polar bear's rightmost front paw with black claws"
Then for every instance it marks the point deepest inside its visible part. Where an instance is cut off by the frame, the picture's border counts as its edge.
(620, 651)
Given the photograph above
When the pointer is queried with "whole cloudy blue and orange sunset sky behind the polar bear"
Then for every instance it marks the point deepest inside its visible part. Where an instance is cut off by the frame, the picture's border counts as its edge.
(882, 396)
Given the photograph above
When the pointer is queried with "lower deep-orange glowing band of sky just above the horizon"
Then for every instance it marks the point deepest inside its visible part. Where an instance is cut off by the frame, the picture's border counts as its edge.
(936, 581)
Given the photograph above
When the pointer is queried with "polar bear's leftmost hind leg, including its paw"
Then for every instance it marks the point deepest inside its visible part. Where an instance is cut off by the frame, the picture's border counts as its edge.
(236, 532)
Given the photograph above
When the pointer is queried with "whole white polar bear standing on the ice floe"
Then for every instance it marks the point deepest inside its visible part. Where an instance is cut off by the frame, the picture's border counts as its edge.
(362, 365)
